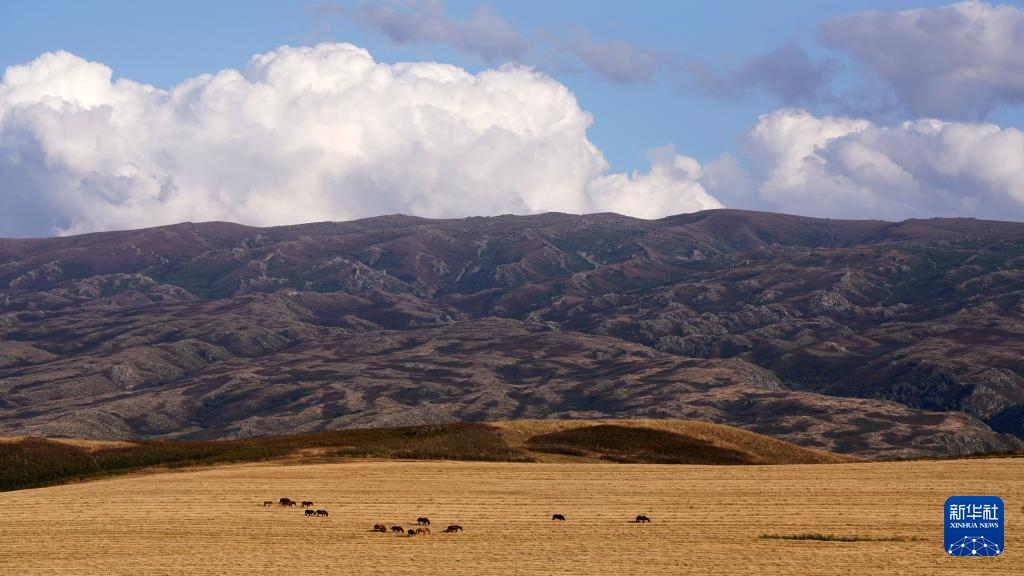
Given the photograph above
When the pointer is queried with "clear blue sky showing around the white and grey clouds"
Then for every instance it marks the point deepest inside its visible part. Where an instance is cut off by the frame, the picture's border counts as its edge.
(164, 45)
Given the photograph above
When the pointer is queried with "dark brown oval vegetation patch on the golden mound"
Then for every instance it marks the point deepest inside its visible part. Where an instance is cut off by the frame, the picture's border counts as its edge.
(636, 445)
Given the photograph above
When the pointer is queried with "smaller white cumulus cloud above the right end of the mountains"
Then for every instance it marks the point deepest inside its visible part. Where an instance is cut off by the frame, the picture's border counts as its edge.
(835, 167)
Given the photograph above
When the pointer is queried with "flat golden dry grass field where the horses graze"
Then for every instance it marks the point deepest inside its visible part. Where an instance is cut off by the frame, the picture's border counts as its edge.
(707, 520)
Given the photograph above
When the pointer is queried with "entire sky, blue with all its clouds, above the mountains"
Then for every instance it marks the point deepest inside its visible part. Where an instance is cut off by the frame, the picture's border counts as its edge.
(117, 114)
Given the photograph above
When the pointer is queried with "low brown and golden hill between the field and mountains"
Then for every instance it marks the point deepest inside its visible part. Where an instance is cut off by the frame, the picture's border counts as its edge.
(32, 463)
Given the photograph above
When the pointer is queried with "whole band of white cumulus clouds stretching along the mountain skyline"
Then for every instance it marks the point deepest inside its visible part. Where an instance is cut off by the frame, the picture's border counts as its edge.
(328, 134)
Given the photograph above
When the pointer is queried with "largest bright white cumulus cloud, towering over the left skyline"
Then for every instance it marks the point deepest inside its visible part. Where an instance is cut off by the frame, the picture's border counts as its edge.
(307, 135)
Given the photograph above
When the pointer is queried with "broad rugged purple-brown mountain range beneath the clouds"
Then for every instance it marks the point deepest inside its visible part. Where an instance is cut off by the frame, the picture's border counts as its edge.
(872, 339)
